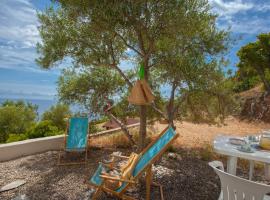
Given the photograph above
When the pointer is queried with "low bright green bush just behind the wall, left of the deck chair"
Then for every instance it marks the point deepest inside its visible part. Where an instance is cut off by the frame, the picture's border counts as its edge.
(43, 129)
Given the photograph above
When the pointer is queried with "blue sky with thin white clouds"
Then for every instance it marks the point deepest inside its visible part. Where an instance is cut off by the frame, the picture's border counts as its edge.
(21, 77)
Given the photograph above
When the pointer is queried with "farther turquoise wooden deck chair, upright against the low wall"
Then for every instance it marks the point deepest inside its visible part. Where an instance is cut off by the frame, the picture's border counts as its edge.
(76, 139)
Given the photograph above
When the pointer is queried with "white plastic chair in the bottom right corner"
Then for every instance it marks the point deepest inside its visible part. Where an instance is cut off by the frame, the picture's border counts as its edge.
(236, 188)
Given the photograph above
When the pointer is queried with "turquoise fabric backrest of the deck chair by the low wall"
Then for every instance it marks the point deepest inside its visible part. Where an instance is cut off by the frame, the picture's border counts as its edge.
(77, 133)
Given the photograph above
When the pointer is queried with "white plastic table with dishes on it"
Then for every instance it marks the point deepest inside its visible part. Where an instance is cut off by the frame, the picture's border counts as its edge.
(224, 147)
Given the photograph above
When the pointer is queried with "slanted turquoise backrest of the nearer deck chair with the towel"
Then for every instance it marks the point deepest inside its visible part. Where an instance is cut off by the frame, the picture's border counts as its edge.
(153, 152)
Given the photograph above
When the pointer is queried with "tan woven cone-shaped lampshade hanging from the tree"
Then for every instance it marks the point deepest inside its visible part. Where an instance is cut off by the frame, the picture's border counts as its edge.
(141, 94)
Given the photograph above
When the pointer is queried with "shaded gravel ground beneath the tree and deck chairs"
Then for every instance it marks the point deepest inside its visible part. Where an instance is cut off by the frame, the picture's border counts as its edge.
(183, 177)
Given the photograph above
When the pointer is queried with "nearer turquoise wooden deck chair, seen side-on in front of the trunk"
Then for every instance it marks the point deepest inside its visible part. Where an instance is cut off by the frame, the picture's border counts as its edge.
(147, 158)
